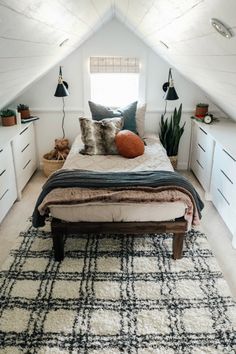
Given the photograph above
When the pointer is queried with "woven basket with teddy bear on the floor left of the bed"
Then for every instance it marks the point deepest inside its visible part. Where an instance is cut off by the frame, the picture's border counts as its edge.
(55, 159)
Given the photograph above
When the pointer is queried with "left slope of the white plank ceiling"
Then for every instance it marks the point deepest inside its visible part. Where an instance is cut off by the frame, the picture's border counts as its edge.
(31, 33)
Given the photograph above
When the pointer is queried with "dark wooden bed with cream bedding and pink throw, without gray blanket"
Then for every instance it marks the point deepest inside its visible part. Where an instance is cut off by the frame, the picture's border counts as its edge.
(125, 210)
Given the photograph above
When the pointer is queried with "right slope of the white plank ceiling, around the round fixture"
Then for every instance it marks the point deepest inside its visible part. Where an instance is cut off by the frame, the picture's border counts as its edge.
(194, 47)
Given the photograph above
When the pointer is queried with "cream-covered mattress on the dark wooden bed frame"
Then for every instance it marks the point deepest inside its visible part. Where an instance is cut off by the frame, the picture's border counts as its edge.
(154, 158)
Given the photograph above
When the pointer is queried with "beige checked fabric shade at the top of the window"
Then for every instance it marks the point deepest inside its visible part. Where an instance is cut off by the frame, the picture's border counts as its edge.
(114, 65)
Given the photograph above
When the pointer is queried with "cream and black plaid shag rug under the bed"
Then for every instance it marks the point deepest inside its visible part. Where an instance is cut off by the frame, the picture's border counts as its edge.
(116, 294)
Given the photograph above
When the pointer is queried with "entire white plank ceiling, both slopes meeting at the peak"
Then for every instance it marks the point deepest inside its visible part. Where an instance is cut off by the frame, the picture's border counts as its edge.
(31, 31)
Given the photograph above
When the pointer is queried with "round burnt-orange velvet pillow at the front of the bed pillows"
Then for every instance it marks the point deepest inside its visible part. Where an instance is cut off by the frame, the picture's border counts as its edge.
(129, 144)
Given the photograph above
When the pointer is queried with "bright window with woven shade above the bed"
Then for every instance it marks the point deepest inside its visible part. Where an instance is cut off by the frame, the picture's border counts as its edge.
(114, 80)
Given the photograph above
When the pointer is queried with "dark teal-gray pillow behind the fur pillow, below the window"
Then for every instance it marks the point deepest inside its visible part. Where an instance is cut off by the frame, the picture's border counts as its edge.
(129, 113)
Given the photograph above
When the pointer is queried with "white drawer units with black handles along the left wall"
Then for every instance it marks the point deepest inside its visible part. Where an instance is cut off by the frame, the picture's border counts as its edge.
(17, 163)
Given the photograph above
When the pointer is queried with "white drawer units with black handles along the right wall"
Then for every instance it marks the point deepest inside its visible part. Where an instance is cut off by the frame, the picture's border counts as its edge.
(213, 161)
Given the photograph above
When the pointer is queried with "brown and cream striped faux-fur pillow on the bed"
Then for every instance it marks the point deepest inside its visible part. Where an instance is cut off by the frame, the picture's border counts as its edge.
(99, 136)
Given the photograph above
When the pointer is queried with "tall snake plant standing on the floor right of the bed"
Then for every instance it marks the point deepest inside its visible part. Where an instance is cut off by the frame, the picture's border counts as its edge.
(170, 134)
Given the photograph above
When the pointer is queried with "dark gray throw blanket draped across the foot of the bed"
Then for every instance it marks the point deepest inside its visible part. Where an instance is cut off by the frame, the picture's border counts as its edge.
(92, 179)
